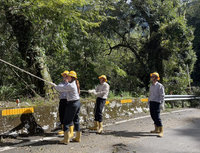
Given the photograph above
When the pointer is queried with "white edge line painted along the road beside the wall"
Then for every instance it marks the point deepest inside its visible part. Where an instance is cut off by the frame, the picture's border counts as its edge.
(51, 138)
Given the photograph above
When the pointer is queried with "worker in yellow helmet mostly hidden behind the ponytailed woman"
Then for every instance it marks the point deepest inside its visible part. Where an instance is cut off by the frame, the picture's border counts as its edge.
(62, 104)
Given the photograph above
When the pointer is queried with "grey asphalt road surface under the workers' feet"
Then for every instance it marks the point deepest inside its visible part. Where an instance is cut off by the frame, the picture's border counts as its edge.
(181, 135)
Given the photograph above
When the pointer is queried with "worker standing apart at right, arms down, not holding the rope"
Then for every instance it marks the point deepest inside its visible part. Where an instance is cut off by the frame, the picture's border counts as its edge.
(156, 102)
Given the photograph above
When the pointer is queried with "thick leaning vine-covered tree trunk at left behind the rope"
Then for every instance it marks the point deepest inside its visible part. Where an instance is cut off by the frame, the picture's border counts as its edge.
(34, 56)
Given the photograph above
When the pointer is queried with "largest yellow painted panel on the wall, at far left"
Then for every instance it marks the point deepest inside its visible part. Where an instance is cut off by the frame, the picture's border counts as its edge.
(17, 111)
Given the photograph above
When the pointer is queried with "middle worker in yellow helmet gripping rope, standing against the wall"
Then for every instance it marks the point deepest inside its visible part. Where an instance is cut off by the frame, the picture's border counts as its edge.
(101, 92)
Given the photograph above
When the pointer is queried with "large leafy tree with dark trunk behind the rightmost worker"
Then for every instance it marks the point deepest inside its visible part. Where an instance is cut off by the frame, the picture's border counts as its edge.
(156, 34)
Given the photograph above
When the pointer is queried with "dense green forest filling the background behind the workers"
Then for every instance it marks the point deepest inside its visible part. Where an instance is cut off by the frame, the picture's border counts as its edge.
(125, 40)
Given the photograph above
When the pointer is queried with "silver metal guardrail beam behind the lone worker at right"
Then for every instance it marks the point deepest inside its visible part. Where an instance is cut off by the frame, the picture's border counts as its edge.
(180, 97)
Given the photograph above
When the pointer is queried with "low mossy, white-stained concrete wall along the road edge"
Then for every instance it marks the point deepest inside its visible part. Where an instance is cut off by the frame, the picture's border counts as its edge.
(47, 116)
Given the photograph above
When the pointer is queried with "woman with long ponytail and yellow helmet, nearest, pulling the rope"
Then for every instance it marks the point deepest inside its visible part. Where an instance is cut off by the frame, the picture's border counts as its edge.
(72, 109)
